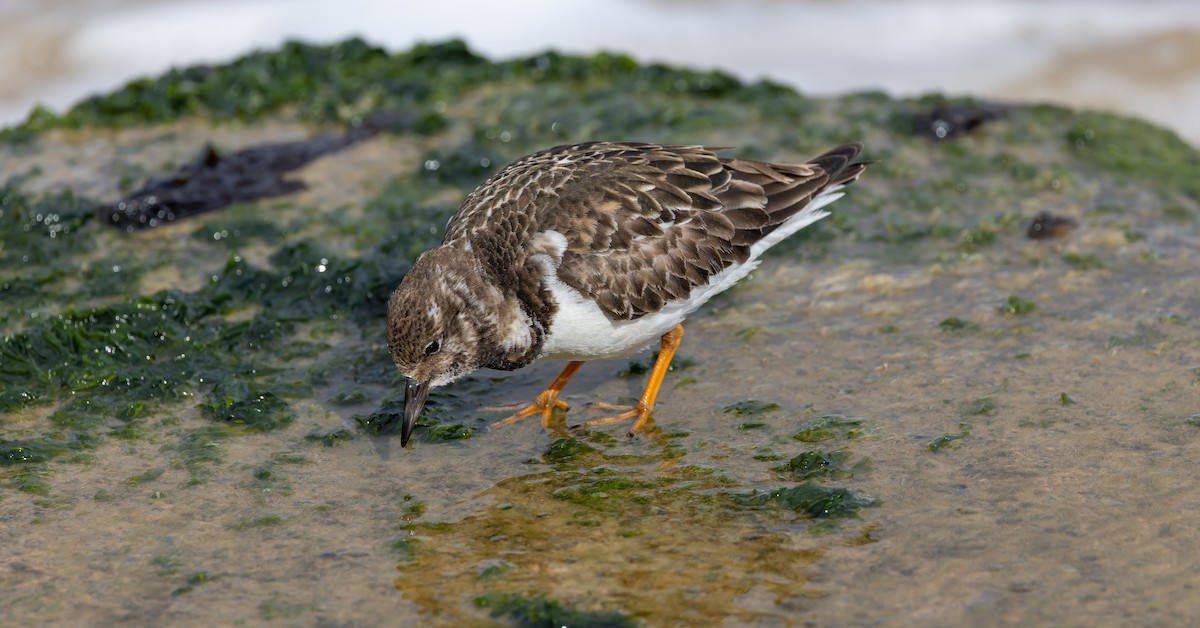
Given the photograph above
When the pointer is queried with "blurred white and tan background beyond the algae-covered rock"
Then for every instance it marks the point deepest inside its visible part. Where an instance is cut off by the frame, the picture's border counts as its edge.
(1139, 58)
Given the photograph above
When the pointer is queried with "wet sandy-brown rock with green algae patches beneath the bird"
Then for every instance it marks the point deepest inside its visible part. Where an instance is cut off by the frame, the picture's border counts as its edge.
(913, 412)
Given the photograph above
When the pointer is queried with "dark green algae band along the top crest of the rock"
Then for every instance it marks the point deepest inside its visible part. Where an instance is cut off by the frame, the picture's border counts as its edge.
(343, 81)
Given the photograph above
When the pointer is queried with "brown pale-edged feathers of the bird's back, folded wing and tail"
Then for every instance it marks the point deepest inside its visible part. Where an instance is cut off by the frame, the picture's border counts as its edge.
(647, 224)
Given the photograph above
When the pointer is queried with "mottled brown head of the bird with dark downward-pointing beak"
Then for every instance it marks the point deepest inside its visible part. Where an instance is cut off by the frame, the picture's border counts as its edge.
(431, 334)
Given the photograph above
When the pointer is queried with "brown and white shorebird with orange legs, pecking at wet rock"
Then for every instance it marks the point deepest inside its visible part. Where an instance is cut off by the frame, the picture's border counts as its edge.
(595, 252)
